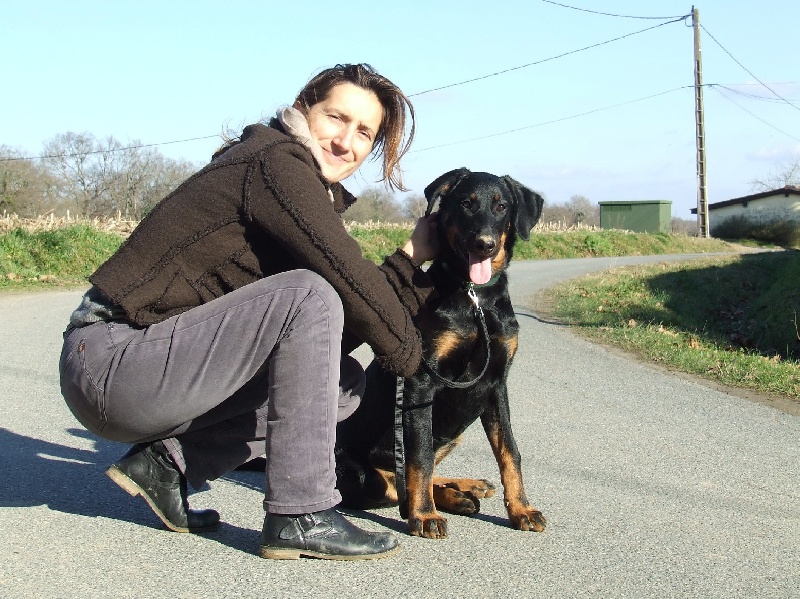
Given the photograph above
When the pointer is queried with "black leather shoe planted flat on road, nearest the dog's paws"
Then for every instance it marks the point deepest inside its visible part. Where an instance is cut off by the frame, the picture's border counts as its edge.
(326, 534)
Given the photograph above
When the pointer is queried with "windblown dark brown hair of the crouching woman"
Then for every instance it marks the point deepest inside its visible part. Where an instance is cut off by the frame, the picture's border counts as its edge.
(391, 141)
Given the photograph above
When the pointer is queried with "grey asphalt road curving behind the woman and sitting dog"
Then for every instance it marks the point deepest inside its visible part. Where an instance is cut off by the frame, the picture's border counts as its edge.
(653, 486)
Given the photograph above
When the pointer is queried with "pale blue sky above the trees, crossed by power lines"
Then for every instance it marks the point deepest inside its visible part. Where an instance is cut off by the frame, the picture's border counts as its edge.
(165, 71)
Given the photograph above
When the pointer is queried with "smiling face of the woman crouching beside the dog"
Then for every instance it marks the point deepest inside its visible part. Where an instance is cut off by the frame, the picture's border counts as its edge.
(345, 125)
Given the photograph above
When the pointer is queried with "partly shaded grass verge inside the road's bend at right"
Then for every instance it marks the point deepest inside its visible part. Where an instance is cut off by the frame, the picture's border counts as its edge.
(732, 320)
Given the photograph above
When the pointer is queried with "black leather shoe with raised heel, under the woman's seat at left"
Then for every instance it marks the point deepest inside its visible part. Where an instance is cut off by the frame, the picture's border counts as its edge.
(147, 470)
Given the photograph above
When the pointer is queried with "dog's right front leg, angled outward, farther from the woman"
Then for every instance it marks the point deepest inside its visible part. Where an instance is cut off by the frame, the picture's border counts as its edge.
(496, 422)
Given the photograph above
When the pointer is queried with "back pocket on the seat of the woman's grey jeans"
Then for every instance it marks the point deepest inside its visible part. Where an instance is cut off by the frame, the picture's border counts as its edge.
(84, 364)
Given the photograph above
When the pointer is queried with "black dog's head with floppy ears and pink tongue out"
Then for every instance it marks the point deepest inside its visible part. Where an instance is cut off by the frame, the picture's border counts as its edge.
(480, 215)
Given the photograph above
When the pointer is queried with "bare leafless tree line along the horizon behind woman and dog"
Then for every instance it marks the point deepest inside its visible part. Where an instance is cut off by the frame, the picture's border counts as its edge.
(90, 177)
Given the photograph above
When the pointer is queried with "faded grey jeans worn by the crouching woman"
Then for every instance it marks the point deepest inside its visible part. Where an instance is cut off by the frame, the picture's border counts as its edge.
(256, 371)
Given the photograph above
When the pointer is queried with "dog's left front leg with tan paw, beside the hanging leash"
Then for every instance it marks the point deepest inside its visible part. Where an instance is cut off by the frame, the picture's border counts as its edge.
(423, 519)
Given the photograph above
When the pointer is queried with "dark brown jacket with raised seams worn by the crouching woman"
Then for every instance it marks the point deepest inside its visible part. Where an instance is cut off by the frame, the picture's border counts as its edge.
(260, 208)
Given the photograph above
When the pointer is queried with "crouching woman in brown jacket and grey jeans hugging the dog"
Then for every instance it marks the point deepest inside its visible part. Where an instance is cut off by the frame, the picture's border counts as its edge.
(220, 329)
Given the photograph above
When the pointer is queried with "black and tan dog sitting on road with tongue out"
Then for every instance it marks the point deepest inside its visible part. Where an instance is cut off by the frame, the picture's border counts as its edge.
(469, 334)
